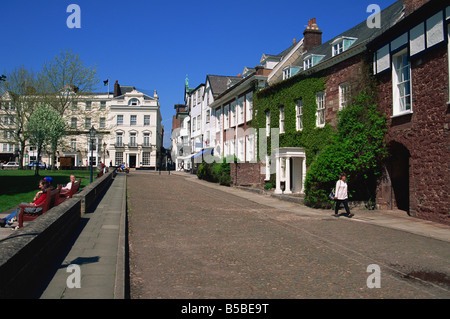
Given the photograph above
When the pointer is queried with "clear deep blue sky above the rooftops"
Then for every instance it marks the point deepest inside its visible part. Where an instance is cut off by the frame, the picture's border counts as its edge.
(154, 44)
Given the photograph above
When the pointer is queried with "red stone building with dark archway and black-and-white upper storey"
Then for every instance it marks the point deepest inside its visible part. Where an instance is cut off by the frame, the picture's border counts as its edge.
(411, 65)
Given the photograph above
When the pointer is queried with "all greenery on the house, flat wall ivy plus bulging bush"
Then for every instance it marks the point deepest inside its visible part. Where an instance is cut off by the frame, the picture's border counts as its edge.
(355, 146)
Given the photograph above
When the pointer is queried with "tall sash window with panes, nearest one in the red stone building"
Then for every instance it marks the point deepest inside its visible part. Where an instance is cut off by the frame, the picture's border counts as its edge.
(401, 82)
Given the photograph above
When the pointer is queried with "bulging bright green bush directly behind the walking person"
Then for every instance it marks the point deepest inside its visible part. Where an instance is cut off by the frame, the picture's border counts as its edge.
(357, 148)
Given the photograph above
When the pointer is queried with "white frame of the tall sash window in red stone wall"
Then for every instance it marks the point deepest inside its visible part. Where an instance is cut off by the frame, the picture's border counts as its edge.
(399, 85)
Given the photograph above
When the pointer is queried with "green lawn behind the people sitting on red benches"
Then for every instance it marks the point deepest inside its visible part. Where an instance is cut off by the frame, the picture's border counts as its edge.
(18, 186)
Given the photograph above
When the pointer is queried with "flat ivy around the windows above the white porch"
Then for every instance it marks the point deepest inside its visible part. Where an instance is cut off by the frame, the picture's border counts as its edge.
(286, 93)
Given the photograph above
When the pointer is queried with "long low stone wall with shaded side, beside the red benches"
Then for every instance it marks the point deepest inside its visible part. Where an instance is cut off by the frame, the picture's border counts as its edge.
(29, 254)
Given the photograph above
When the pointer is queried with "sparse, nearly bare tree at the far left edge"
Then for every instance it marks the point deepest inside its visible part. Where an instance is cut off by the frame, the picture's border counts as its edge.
(19, 98)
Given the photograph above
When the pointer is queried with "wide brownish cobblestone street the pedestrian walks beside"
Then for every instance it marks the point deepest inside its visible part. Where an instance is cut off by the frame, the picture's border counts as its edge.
(192, 239)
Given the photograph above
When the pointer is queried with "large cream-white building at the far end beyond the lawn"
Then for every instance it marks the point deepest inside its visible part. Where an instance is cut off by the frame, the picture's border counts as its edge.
(128, 130)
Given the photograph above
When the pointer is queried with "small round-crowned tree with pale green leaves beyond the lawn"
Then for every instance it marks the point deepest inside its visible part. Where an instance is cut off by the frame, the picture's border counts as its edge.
(45, 127)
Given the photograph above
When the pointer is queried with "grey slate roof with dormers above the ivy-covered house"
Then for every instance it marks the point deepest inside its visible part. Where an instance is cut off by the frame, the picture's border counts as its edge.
(361, 32)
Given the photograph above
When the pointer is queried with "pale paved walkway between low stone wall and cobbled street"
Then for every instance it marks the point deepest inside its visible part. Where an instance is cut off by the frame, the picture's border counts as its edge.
(98, 251)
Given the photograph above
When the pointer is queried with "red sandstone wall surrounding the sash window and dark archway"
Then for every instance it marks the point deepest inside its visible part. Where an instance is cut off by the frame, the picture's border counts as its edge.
(425, 134)
